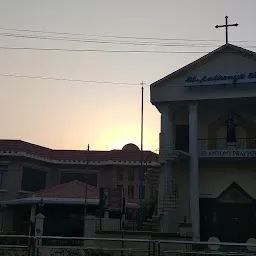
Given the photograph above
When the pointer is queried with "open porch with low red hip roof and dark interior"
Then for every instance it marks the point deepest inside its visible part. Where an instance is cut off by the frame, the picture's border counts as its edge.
(63, 207)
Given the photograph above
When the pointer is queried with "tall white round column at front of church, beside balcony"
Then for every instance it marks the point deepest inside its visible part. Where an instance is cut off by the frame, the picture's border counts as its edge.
(194, 172)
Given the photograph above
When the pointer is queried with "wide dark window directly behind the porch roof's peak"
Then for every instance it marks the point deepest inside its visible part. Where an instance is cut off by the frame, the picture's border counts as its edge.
(91, 178)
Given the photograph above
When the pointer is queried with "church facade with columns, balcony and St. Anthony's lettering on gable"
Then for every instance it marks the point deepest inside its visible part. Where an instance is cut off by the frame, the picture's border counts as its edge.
(208, 146)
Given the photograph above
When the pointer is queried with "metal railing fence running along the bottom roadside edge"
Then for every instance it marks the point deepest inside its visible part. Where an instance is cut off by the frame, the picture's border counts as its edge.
(78, 246)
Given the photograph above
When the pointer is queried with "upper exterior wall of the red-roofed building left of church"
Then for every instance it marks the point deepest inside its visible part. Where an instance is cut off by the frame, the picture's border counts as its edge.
(107, 176)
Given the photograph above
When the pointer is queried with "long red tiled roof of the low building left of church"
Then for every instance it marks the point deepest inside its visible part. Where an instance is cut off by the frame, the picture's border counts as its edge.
(75, 155)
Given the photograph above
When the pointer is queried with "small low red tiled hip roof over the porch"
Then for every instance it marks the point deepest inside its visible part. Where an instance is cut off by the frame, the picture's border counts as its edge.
(73, 189)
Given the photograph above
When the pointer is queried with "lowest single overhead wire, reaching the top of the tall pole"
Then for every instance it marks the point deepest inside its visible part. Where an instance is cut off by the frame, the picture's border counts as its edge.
(67, 79)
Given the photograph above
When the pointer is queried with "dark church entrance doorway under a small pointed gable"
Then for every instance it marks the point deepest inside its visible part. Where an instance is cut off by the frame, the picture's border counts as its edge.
(231, 217)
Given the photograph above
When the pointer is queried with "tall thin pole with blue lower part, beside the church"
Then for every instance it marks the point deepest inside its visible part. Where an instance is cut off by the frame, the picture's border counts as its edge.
(141, 155)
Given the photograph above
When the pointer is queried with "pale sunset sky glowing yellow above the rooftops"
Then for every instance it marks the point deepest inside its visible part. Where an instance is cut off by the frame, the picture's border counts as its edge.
(69, 115)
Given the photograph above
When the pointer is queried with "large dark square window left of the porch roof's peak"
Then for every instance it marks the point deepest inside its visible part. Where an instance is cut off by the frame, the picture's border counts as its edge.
(33, 179)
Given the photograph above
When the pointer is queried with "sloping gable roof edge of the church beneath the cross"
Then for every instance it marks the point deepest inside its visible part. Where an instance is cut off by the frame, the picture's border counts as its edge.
(224, 48)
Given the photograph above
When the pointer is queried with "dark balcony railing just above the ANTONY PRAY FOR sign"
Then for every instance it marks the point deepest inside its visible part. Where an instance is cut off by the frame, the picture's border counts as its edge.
(221, 144)
